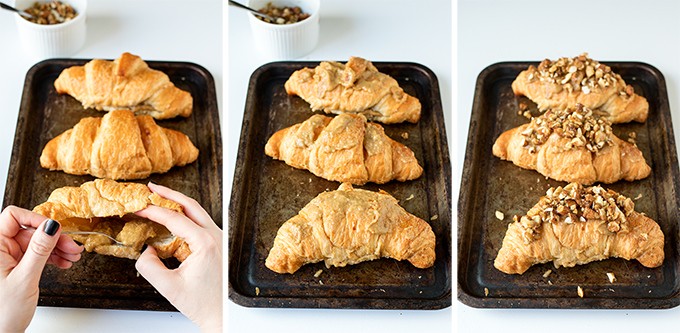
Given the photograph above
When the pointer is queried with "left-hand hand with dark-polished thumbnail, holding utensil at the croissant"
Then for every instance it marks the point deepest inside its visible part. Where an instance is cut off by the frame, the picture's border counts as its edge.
(23, 255)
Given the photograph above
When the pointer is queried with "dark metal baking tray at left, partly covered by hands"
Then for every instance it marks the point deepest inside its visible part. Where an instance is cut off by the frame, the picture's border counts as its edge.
(98, 281)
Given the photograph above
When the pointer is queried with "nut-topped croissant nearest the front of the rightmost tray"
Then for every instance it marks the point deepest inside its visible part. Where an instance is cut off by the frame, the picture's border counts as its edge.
(575, 225)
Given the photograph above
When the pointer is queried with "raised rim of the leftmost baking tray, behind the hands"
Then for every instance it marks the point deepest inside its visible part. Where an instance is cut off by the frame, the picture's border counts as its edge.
(160, 304)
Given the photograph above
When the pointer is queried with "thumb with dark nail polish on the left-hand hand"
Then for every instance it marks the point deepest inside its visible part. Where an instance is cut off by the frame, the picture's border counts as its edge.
(40, 247)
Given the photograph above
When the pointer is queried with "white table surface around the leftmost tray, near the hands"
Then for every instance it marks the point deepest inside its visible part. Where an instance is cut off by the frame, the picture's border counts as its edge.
(179, 30)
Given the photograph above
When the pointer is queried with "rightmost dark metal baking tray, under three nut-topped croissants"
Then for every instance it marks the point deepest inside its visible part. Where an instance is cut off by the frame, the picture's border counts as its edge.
(489, 184)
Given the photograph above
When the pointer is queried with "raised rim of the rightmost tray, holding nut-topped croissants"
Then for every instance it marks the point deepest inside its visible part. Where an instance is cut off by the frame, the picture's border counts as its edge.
(464, 201)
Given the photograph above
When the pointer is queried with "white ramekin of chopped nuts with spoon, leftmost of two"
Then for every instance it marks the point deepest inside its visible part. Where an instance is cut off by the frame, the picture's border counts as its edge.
(56, 28)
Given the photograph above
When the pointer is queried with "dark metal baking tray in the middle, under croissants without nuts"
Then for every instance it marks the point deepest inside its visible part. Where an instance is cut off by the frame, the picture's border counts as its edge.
(266, 193)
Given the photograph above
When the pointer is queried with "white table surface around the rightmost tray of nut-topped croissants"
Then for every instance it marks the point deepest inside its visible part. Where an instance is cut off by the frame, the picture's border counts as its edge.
(493, 31)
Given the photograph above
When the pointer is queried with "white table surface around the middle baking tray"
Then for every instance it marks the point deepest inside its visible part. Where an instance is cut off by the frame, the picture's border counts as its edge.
(415, 31)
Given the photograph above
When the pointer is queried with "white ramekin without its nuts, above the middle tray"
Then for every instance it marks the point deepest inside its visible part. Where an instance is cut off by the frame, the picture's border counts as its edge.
(289, 41)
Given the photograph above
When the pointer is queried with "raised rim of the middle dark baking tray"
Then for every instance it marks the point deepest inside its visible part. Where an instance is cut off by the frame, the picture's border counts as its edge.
(242, 183)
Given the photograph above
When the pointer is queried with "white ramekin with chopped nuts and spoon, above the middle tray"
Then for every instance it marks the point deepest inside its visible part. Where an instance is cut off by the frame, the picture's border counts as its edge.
(293, 32)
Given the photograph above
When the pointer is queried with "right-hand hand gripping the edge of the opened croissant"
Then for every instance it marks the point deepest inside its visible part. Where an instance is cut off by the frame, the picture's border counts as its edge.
(195, 287)
